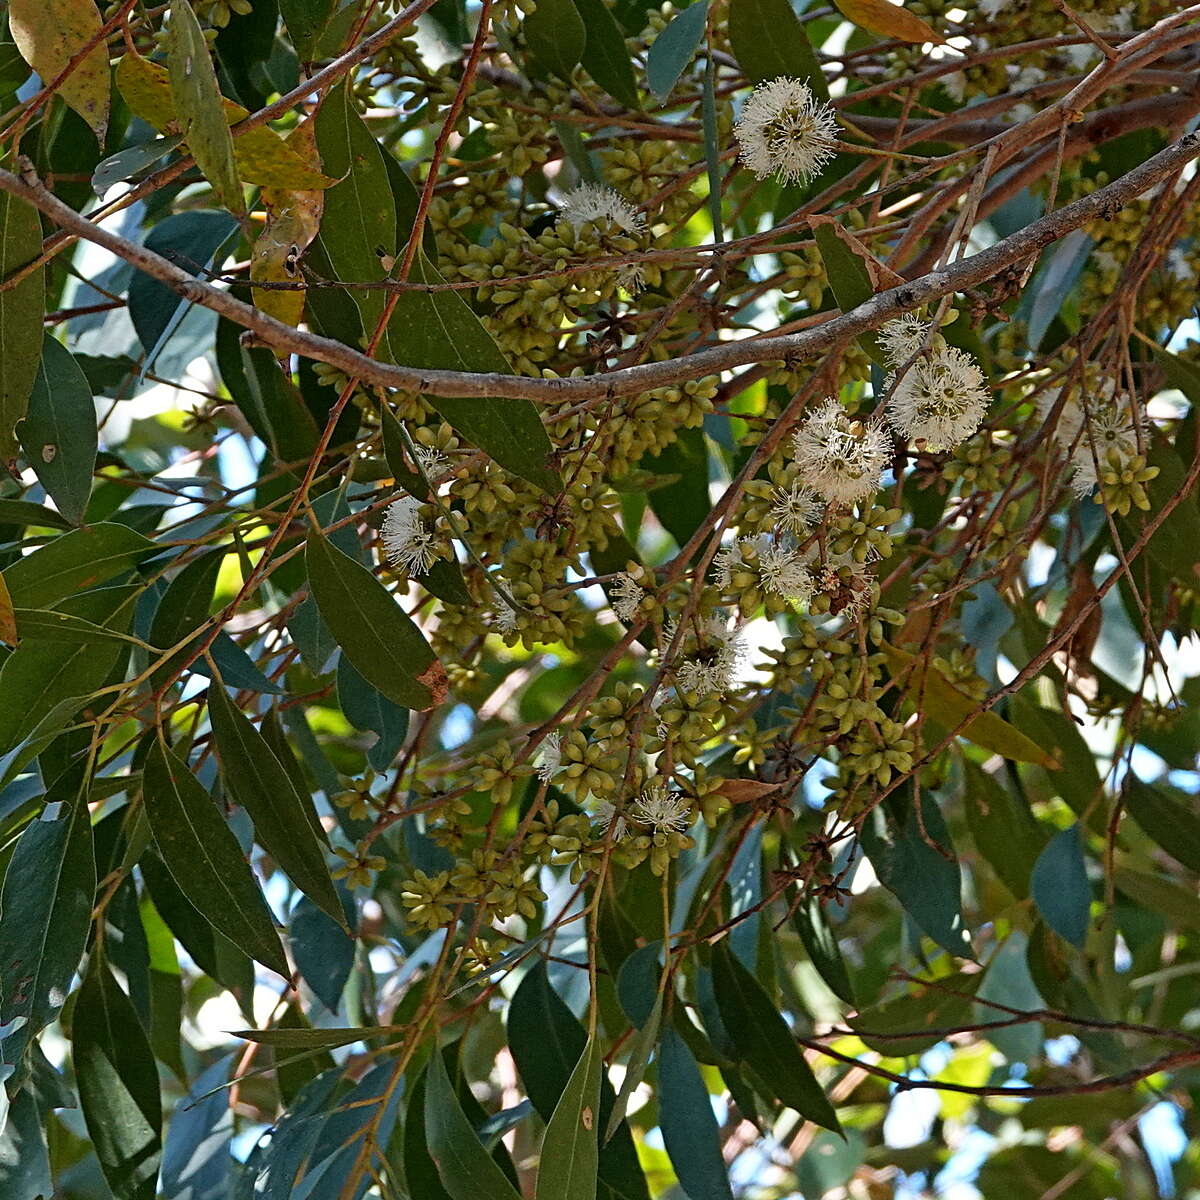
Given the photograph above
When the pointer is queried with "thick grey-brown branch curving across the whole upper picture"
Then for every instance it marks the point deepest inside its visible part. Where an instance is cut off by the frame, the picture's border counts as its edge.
(959, 277)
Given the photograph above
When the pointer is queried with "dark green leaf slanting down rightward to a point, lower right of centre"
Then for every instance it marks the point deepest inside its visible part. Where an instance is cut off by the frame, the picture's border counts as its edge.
(764, 1039)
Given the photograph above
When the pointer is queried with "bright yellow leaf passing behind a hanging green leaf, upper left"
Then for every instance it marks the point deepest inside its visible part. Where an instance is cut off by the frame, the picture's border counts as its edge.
(263, 157)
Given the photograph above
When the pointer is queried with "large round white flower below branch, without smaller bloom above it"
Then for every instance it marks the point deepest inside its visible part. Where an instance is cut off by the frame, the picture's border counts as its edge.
(941, 400)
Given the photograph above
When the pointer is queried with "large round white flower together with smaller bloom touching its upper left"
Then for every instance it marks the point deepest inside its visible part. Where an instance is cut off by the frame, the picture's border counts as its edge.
(941, 398)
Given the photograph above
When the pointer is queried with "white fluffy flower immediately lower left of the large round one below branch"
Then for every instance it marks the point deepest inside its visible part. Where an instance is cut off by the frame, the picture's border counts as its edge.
(841, 458)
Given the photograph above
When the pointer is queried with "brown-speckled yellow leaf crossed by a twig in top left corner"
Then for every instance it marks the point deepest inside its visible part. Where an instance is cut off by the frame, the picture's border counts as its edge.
(50, 34)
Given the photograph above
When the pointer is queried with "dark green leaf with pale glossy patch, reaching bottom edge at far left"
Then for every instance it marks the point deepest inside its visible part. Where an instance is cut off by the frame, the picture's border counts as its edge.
(118, 1085)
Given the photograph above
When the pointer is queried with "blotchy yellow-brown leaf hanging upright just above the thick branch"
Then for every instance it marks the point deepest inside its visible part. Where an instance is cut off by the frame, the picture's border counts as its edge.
(293, 219)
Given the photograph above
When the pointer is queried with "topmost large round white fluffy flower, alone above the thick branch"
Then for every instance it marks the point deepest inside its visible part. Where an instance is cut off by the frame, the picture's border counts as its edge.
(784, 129)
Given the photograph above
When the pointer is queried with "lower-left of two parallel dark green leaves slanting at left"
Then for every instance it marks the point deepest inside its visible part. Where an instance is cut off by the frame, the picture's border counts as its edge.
(205, 859)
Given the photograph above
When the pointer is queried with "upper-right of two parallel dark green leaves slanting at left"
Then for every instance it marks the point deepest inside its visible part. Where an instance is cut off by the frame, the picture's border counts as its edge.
(265, 790)
